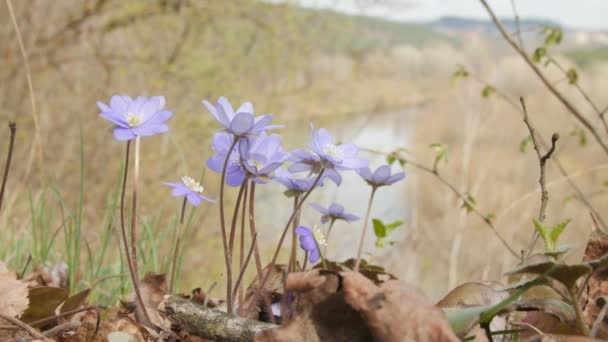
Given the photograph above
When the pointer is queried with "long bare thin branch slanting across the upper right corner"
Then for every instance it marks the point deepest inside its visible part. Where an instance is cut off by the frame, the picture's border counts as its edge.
(577, 114)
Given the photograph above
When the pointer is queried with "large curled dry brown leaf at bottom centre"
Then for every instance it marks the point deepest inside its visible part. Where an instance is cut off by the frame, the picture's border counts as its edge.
(349, 307)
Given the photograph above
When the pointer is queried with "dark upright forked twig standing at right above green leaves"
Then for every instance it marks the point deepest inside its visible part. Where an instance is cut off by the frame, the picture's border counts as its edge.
(542, 159)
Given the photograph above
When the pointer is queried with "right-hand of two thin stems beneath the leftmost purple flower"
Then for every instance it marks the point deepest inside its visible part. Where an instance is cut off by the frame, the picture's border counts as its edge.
(135, 275)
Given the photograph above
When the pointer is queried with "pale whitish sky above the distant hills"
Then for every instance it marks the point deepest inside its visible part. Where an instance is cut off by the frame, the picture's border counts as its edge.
(582, 14)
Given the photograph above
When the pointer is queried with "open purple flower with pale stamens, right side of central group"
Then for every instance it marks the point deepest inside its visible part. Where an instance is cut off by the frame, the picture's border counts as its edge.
(327, 156)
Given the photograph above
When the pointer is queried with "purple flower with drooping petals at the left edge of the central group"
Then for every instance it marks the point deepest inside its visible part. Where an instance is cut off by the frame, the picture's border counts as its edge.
(221, 142)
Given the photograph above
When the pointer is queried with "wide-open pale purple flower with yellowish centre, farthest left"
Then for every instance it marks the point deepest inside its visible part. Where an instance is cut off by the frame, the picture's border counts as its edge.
(143, 116)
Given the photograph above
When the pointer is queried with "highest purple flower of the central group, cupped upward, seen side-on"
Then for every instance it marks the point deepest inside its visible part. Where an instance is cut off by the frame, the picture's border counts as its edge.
(242, 122)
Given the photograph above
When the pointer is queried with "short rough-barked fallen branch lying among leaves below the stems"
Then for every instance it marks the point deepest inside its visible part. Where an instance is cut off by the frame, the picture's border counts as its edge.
(211, 323)
